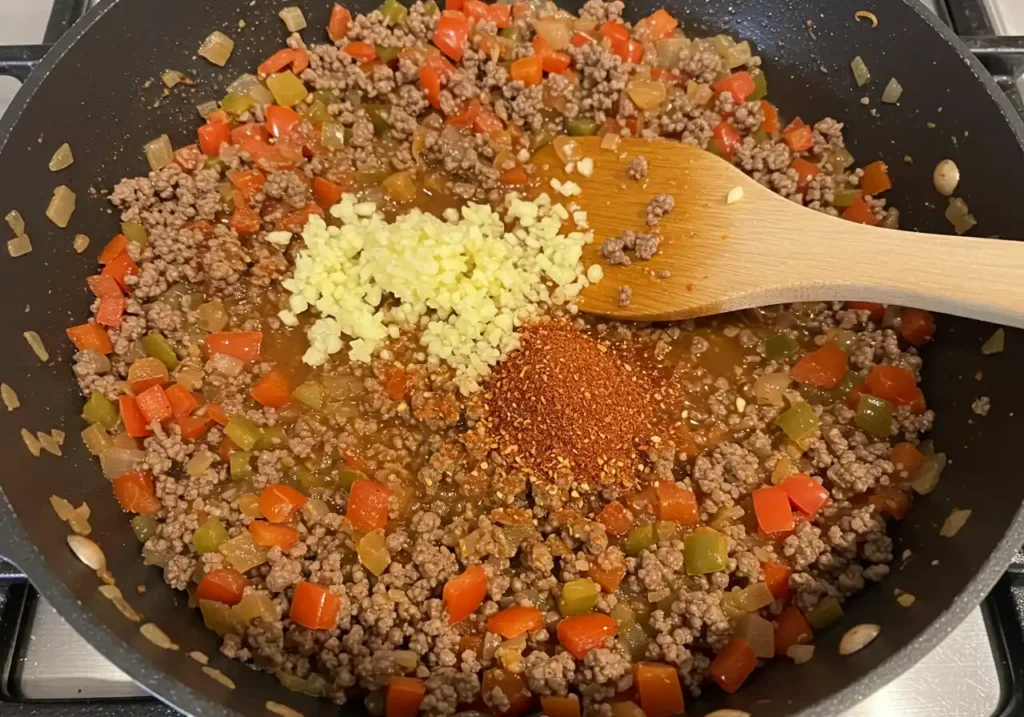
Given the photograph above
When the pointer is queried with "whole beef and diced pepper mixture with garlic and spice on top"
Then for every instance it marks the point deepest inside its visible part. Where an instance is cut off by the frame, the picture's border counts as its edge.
(358, 417)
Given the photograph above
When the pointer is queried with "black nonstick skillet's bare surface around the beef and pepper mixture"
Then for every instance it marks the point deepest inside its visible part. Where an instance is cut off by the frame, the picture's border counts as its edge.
(92, 92)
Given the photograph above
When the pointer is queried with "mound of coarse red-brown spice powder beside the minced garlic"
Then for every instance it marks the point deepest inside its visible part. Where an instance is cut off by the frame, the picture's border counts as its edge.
(569, 411)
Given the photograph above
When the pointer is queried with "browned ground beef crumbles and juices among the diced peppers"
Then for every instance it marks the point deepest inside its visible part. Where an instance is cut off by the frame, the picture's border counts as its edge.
(421, 445)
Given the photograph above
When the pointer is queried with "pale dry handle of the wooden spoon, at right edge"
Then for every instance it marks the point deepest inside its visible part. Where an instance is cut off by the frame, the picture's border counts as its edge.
(975, 278)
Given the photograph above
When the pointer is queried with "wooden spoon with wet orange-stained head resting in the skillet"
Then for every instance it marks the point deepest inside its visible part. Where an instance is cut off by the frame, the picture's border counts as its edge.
(764, 249)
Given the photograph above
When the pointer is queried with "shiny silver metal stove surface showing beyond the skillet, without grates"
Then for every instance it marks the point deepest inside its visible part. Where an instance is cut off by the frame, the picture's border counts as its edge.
(961, 678)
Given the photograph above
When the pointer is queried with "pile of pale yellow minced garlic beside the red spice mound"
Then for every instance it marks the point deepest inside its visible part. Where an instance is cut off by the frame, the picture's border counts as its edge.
(467, 282)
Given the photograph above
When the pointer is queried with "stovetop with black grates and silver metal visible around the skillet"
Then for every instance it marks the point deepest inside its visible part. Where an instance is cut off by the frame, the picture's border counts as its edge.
(978, 671)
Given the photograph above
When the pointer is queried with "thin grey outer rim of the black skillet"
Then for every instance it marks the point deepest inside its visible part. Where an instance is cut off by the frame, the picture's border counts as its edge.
(177, 695)
